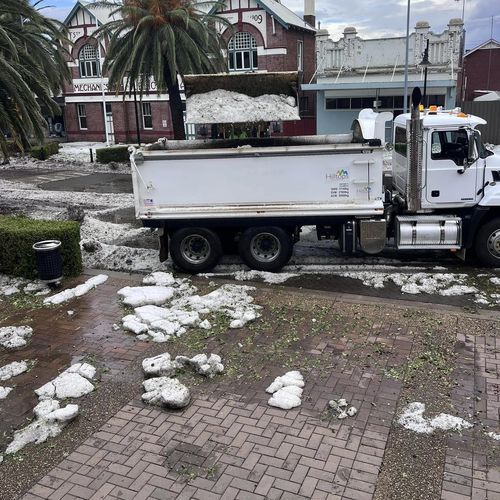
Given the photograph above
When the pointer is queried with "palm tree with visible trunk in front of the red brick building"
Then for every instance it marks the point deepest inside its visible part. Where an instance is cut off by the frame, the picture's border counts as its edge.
(161, 41)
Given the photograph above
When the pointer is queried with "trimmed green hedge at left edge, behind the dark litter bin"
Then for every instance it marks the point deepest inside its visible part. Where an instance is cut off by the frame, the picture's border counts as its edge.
(18, 234)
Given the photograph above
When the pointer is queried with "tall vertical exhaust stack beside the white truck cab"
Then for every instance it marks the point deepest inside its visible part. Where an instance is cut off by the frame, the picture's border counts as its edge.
(415, 153)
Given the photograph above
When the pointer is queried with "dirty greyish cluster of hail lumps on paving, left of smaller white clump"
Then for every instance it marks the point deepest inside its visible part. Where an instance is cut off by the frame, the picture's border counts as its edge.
(162, 389)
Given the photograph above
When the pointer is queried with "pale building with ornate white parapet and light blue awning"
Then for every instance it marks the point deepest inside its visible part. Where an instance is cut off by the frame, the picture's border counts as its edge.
(356, 73)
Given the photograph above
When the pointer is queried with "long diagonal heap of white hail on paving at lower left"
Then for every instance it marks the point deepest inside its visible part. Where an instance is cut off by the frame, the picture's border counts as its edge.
(50, 417)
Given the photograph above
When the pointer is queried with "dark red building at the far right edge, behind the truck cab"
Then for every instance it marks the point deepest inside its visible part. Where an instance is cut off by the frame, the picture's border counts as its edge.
(481, 71)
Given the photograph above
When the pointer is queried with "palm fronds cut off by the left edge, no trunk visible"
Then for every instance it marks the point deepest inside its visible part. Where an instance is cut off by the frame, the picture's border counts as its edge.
(32, 70)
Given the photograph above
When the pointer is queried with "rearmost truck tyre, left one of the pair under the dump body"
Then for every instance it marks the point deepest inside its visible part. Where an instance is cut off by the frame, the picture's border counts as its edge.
(195, 250)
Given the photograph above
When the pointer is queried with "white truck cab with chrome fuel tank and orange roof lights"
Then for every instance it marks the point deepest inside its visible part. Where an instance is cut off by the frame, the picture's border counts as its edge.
(445, 184)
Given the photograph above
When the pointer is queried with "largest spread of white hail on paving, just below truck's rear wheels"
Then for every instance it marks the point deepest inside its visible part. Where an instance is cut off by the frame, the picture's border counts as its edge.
(166, 306)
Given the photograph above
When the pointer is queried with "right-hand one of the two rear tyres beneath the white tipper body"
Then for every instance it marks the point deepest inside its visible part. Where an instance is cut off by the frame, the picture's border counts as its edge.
(265, 248)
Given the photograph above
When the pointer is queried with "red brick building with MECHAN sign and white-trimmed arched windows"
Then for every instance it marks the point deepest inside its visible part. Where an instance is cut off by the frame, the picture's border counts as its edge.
(266, 36)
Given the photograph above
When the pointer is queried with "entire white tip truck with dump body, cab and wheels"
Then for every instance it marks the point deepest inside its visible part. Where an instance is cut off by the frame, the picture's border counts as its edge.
(209, 196)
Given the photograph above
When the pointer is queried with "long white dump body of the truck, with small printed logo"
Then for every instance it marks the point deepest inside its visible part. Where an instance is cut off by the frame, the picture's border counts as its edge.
(259, 182)
